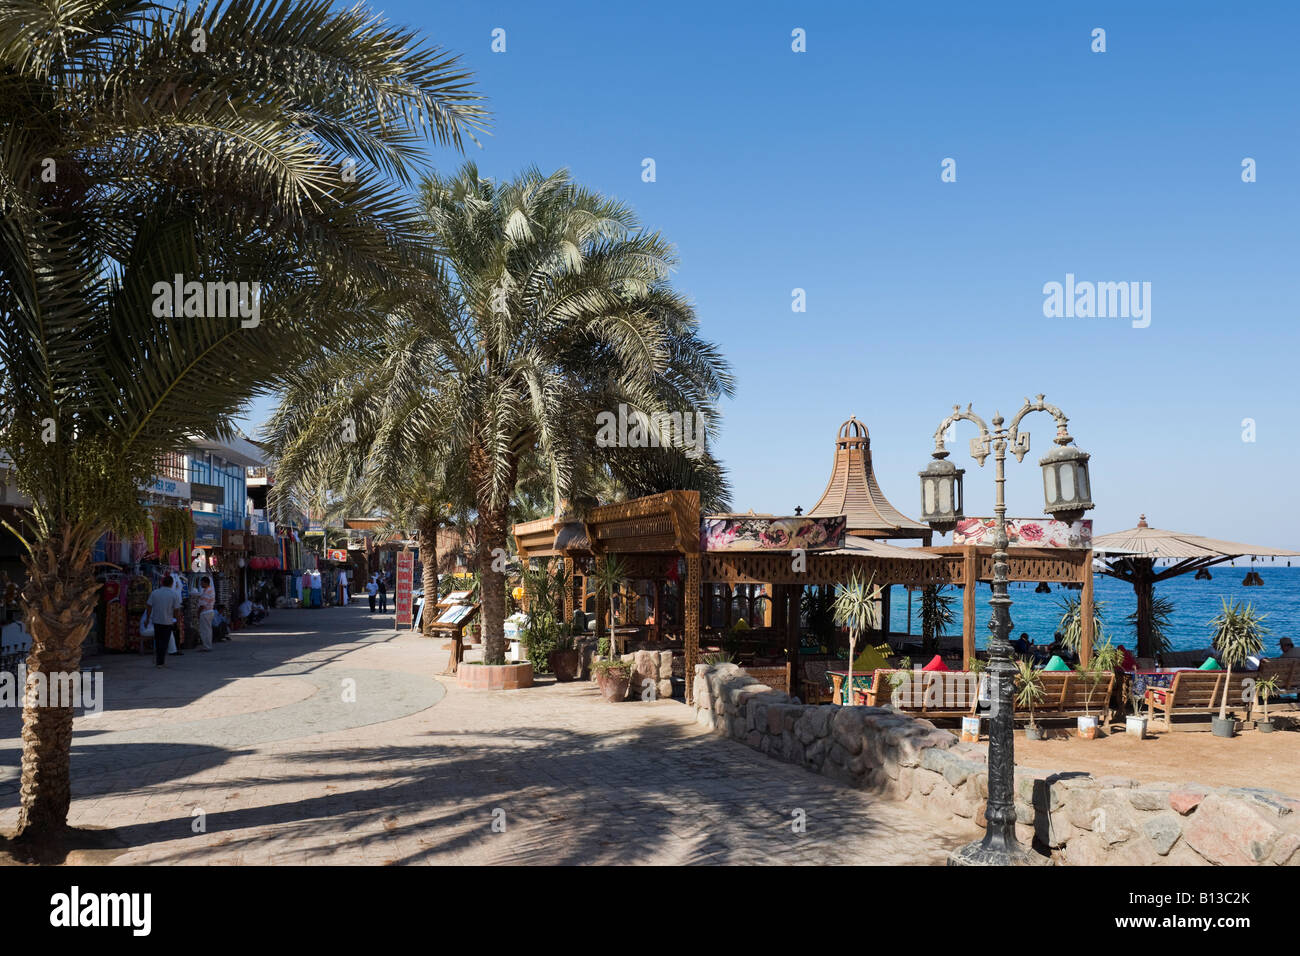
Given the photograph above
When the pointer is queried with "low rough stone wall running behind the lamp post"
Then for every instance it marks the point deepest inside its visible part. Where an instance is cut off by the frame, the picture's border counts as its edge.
(1076, 817)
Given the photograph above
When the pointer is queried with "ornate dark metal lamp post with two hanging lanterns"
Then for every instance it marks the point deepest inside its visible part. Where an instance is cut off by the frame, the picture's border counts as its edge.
(1067, 490)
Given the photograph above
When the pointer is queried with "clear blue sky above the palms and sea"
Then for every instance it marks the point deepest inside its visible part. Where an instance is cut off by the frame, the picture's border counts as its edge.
(821, 171)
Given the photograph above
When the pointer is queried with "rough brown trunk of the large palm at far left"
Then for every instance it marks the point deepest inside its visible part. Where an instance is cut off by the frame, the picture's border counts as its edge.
(59, 603)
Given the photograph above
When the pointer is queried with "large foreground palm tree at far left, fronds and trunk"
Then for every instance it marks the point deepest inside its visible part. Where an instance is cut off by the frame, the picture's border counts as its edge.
(249, 142)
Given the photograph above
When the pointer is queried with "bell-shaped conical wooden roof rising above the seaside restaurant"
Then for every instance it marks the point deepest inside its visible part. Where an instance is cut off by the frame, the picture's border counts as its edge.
(855, 494)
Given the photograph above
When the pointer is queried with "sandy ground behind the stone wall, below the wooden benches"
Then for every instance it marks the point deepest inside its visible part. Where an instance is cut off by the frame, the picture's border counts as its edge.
(1249, 760)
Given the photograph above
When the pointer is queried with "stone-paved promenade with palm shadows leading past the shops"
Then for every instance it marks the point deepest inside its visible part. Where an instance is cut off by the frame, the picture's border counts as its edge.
(323, 737)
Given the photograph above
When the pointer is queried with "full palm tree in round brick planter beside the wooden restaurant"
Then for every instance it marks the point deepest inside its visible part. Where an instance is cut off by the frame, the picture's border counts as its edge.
(551, 306)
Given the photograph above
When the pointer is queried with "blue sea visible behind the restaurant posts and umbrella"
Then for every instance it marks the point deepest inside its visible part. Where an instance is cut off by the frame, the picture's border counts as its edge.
(1195, 605)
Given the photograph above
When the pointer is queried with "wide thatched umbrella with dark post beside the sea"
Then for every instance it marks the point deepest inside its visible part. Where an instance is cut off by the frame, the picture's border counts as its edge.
(1132, 557)
